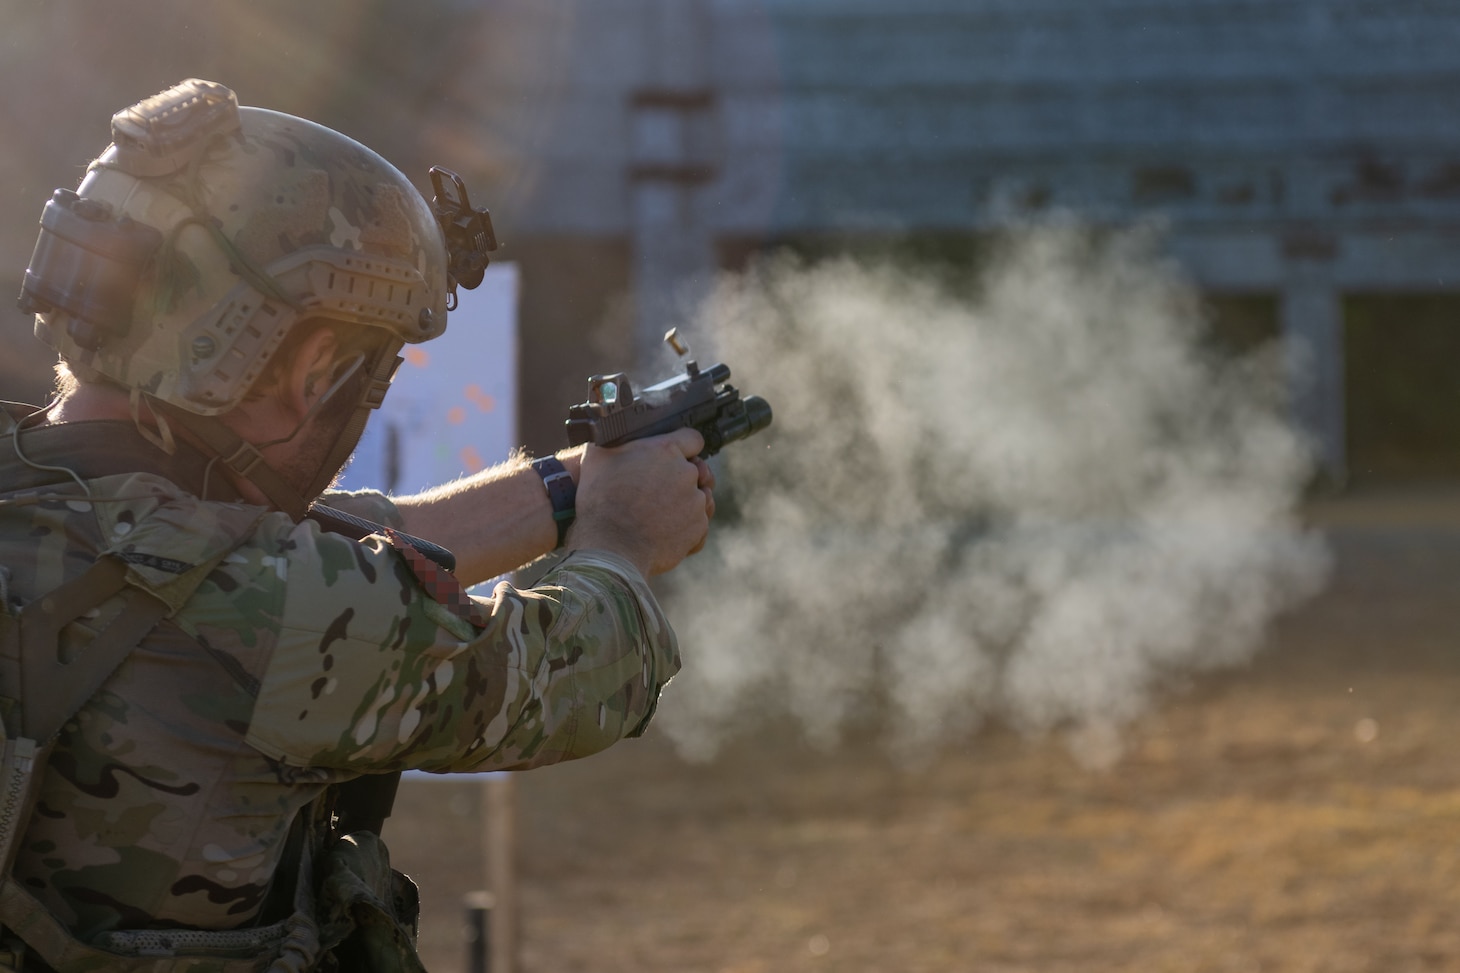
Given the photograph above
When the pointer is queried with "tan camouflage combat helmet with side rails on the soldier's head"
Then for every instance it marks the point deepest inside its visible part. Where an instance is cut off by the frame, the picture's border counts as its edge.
(207, 232)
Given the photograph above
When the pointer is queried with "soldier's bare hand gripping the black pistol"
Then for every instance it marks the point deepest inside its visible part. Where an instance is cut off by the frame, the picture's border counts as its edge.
(649, 500)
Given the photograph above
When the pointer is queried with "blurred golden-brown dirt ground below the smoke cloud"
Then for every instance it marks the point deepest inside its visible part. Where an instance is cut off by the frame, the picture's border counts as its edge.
(1302, 814)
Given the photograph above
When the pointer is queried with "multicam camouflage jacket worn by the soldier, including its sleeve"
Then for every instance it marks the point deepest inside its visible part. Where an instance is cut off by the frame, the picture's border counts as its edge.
(291, 660)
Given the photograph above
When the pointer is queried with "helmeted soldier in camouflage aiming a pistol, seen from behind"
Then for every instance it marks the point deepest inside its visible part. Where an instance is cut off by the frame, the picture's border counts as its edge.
(191, 667)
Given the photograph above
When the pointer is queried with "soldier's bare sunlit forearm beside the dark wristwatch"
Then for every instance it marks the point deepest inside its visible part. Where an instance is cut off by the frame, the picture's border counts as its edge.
(493, 522)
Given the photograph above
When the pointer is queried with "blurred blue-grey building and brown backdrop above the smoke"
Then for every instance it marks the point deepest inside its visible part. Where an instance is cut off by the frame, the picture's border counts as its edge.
(1306, 154)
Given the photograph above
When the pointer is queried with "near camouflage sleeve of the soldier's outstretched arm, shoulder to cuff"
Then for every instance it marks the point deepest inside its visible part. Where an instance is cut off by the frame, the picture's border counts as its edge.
(372, 674)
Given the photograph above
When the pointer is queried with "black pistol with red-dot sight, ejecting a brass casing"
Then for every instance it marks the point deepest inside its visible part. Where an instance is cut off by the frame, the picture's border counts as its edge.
(702, 398)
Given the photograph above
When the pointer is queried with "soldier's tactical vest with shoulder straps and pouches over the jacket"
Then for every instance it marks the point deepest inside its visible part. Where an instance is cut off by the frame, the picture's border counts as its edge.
(350, 909)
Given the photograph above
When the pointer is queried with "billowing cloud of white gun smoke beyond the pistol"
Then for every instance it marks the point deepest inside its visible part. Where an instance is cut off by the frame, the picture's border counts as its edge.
(1040, 500)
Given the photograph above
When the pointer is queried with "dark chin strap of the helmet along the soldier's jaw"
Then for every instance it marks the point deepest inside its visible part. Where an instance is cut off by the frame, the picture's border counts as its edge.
(247, 462)
